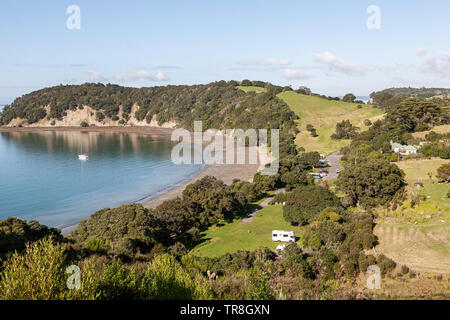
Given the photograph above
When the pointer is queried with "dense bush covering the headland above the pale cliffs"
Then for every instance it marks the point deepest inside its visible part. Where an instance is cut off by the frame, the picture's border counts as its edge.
(219, 105)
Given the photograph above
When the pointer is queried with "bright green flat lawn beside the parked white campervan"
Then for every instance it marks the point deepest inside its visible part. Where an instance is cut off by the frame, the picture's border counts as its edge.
(238, 235)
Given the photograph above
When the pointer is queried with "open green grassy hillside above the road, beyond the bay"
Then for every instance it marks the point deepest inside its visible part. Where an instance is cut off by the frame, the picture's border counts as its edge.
(323, 115)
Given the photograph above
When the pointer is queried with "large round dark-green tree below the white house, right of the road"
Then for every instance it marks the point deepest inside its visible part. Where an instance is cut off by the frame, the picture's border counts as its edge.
(373, 181)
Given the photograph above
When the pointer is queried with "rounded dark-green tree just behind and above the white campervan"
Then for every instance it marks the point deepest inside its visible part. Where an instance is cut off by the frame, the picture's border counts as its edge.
(306, 202)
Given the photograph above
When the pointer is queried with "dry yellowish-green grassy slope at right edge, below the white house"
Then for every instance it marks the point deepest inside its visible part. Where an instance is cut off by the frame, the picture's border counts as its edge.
(419, 237)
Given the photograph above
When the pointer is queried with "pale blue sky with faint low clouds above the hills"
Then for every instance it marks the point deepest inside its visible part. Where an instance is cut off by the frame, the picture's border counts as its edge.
(333, 47)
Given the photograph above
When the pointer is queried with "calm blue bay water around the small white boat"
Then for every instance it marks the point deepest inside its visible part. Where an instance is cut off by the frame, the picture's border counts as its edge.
(42, 179)
